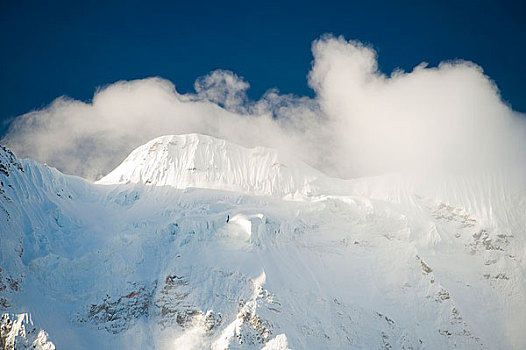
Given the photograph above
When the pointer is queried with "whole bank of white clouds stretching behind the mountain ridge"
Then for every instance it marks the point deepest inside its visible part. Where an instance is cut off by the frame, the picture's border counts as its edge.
(360, 122)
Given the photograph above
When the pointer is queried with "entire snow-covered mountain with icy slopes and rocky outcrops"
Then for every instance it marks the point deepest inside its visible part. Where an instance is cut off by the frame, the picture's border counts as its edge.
(194, 242)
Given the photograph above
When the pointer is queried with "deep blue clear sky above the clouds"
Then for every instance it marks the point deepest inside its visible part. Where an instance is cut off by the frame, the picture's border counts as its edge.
(58, 48)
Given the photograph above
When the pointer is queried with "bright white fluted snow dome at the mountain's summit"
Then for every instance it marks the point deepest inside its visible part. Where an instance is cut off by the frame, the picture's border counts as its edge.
(201, 161)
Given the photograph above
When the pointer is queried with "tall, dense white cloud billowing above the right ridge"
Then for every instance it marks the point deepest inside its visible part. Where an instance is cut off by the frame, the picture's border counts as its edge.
(446, 117)
